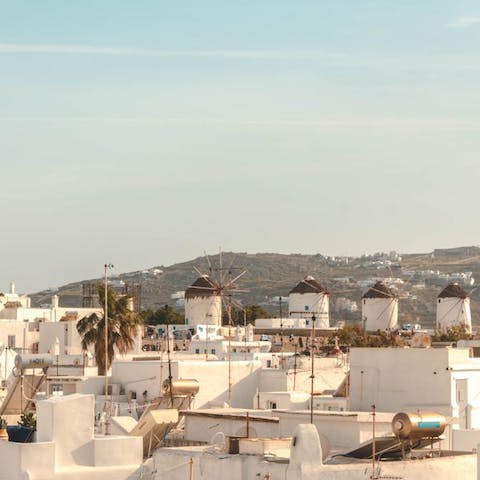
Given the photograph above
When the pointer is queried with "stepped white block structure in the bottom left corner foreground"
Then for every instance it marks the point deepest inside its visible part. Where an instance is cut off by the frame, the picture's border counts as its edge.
(67, 448)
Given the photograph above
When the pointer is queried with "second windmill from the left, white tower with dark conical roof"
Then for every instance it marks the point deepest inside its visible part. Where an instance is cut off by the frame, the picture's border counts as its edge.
(309, 298)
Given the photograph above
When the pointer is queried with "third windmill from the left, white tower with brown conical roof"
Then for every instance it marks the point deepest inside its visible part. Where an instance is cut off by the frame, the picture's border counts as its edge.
(380, 308)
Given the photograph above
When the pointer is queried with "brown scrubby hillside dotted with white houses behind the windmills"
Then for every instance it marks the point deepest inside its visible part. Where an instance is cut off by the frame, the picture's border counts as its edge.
(271, 274)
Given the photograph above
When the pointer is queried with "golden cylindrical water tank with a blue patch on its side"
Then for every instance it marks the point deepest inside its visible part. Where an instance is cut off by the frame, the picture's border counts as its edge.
(418, 425)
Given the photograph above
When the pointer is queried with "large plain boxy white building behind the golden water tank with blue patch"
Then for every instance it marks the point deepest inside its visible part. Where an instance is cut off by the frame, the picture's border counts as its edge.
(443, 380)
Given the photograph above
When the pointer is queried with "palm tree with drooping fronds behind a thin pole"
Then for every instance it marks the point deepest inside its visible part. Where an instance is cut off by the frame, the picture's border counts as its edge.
(123, 328)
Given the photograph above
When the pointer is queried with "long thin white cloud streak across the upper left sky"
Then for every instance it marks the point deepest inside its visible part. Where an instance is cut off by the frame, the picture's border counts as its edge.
(15, 48)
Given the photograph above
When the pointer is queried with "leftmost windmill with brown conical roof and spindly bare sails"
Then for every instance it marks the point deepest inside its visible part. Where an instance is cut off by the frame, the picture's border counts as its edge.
(203, 303)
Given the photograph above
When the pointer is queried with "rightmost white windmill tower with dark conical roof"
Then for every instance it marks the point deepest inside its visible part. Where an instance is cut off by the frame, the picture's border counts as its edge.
(453, 308)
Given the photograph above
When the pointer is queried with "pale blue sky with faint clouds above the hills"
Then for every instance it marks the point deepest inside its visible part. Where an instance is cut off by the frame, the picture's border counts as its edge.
(144, 132)
